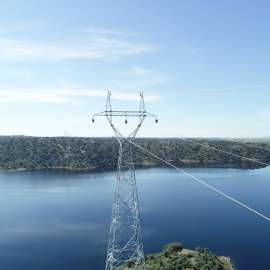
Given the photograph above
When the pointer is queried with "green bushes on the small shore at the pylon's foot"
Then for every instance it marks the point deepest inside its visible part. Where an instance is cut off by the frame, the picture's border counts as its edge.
(174, 257)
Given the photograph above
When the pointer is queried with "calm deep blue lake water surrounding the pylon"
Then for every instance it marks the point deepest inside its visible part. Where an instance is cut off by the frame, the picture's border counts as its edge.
(60, 220)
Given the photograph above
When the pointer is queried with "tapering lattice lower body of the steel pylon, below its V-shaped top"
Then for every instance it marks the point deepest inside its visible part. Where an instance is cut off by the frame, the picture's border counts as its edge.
(125, 240)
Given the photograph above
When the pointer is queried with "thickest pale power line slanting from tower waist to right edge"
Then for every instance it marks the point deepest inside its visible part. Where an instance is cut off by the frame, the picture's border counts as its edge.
(195, 178)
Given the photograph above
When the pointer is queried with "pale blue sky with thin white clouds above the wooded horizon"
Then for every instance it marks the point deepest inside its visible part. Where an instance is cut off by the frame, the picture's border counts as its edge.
(196, 62)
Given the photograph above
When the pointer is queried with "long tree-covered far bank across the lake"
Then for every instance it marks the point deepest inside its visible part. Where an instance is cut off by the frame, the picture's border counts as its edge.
(34, 153)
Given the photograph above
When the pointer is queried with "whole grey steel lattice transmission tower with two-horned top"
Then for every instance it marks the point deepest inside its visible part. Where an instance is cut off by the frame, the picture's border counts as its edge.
(125, 238)
